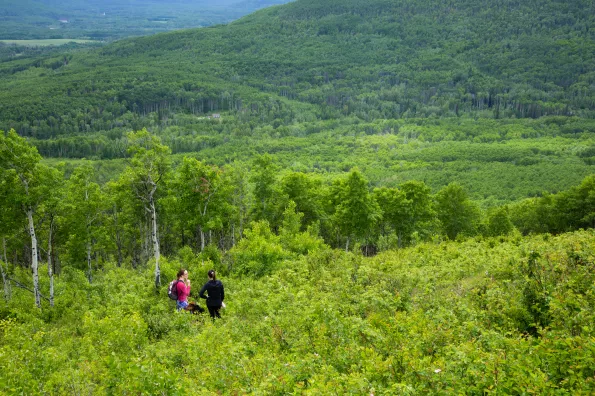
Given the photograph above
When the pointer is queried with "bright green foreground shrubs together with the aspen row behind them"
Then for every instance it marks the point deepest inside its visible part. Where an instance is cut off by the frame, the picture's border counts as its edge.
(332, 287)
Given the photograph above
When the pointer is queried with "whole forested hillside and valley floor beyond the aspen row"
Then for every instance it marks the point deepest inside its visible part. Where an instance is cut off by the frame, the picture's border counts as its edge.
(288, 79)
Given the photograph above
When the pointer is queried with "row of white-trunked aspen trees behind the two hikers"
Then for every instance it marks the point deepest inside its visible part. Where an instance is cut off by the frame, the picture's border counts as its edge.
(194, 203)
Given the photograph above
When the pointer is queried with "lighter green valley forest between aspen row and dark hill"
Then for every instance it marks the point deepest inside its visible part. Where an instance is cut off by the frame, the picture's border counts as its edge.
(498, 161)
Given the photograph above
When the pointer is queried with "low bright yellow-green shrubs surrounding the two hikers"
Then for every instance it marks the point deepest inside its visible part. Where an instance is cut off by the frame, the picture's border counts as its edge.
(502, 315)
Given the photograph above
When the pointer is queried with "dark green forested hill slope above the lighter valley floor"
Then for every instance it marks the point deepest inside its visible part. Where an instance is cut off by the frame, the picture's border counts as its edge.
(371, 59)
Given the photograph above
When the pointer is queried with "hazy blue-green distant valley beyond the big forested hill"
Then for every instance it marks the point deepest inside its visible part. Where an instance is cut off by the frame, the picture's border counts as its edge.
(106, 20)
